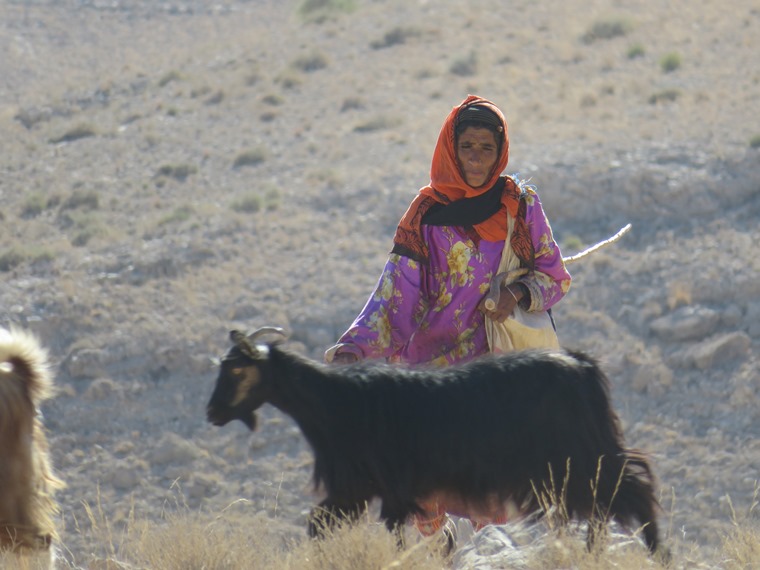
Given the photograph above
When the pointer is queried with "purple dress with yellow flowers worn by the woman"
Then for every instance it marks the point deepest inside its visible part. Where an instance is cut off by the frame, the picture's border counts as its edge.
(428, 314)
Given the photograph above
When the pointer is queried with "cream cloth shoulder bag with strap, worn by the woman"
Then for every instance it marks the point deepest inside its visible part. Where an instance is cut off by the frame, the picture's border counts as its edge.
(524, 329)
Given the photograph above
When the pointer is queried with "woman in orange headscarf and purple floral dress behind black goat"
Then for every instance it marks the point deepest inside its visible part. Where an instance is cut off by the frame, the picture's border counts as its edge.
(429, 305)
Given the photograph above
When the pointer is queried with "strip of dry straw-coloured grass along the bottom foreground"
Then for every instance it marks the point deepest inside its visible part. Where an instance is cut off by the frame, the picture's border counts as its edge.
(237, 539)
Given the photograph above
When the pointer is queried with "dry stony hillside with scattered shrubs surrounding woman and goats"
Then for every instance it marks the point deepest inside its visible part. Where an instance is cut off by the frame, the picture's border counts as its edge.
(174, 170)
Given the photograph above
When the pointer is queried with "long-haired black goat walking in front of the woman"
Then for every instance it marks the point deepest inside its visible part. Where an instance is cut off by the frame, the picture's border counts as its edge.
(513, 429)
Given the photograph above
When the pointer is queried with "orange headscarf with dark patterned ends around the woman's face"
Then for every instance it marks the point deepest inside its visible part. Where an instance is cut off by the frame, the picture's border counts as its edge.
(447, 184)
